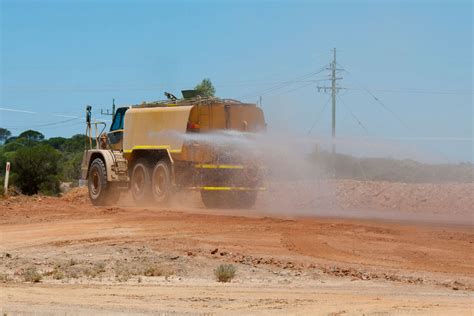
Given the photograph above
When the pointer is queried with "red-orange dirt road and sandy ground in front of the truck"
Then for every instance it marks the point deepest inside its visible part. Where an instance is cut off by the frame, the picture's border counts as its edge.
(384, 263)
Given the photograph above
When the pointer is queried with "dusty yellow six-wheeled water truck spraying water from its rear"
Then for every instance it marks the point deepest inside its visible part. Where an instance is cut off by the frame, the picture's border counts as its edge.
(157, 148)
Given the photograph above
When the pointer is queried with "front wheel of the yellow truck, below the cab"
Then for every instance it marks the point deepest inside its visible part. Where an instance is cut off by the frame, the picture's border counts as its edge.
(101, 192)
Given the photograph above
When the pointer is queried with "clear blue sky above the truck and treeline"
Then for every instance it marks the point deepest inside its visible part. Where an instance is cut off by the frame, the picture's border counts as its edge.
(415, 57)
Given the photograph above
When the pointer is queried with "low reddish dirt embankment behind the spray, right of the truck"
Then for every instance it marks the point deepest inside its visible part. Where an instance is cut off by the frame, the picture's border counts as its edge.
(448, 202)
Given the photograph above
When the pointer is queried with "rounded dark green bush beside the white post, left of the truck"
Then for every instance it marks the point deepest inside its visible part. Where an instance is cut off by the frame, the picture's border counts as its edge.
(36, 169)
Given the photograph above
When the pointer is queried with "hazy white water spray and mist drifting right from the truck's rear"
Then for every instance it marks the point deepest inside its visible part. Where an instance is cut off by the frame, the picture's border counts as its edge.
(303, 179)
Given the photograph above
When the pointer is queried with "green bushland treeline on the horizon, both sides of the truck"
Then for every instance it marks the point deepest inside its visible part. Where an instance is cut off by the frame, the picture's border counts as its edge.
(39, 165)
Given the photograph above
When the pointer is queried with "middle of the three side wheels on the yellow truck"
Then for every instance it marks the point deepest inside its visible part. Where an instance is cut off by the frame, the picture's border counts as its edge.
(140, 182)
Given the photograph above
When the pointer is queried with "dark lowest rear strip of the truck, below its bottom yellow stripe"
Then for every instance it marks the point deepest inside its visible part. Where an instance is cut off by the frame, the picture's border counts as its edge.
(228, 199)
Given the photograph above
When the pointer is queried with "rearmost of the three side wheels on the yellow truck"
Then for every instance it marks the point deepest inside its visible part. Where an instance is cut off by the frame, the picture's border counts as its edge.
(161, 182)
